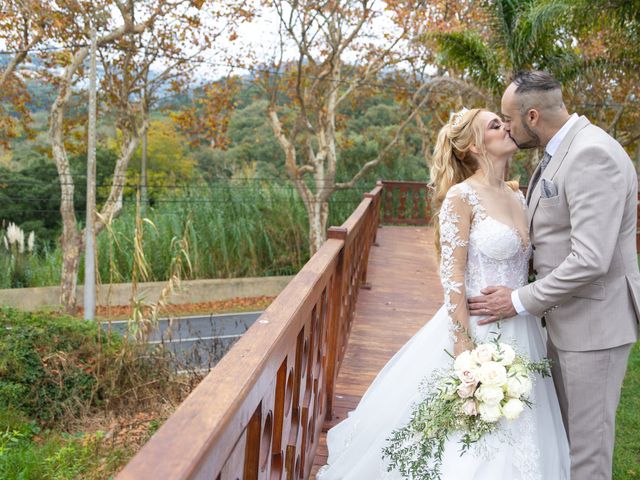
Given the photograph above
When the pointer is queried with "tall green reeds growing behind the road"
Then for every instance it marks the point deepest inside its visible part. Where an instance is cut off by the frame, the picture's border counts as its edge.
(237, 228)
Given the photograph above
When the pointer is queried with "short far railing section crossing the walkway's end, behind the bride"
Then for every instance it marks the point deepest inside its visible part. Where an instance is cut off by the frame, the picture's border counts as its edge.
(406, 203)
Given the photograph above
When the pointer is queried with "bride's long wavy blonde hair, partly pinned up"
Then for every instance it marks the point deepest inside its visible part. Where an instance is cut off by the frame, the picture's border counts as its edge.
(453, 162)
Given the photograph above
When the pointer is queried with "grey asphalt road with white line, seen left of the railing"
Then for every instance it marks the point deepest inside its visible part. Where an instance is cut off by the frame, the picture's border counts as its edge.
(197, 342)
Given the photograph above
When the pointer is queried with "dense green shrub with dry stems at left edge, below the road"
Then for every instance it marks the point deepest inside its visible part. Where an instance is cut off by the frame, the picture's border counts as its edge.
(48, 364)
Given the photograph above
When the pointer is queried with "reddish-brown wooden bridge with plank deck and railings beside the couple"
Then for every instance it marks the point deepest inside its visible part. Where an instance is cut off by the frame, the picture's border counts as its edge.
(263, 411)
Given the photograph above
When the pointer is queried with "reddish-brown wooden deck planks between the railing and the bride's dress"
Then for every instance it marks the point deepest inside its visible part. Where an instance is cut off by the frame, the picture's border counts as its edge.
(405, 293)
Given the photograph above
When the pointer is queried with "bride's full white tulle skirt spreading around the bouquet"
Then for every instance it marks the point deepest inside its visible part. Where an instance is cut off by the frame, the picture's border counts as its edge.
(534, 446)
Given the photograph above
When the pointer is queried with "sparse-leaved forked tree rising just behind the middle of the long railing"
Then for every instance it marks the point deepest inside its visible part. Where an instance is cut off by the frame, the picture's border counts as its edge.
(306, 93)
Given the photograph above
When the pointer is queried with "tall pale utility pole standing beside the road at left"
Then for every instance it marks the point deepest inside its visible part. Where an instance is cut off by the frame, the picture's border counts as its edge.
(90, 261)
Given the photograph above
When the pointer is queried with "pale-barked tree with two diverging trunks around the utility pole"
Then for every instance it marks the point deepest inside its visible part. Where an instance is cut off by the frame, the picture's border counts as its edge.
(177, 28)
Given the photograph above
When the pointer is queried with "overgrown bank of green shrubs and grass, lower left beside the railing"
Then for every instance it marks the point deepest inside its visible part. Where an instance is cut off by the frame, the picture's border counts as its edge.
(55, 373)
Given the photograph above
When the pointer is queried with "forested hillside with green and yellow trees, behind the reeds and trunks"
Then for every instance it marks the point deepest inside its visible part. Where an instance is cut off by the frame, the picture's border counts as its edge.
(30, 194)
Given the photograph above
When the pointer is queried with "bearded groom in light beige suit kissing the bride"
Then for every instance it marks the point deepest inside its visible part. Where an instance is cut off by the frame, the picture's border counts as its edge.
(582, 202)
